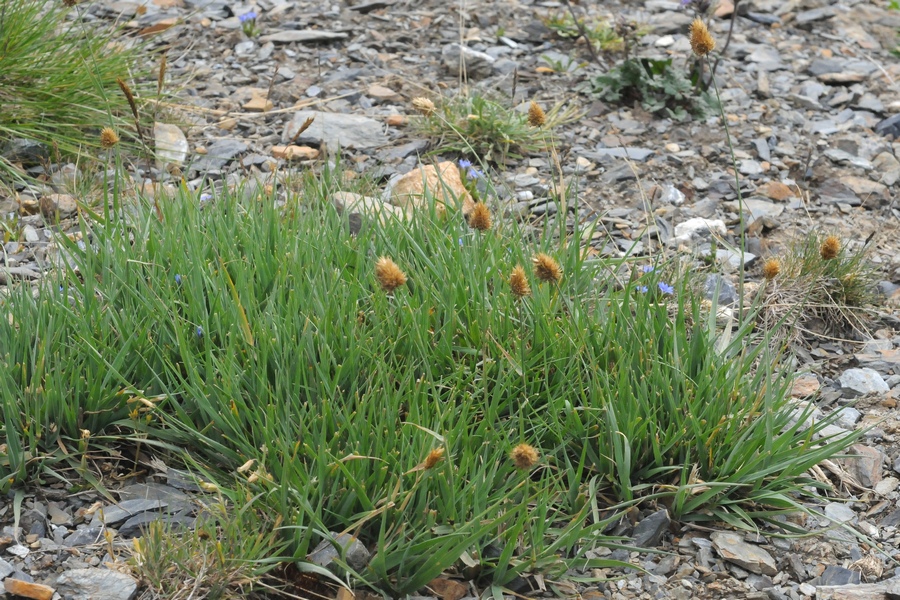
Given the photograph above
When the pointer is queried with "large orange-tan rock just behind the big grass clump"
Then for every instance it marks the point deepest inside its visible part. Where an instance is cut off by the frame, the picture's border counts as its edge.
(442, 183)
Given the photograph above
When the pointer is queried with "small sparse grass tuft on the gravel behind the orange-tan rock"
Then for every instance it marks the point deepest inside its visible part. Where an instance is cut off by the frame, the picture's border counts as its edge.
(484, 128)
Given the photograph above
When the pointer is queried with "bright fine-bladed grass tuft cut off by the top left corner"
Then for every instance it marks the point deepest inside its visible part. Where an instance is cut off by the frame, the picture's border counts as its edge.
(59, 79)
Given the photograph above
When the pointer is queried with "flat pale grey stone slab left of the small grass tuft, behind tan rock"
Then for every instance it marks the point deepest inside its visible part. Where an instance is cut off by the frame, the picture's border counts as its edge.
(336, 130)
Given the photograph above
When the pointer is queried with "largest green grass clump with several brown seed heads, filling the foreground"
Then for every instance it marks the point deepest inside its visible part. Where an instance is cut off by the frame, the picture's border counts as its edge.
(274, 350)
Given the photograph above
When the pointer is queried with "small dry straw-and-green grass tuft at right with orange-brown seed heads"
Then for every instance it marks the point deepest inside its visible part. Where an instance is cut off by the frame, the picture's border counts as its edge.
(822, 287)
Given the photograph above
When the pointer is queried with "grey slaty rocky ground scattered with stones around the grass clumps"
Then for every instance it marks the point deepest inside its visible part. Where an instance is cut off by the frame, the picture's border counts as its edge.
(811, 94)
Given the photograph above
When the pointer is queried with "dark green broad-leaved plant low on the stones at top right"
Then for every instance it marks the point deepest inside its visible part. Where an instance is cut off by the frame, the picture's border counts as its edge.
(656, 85)
